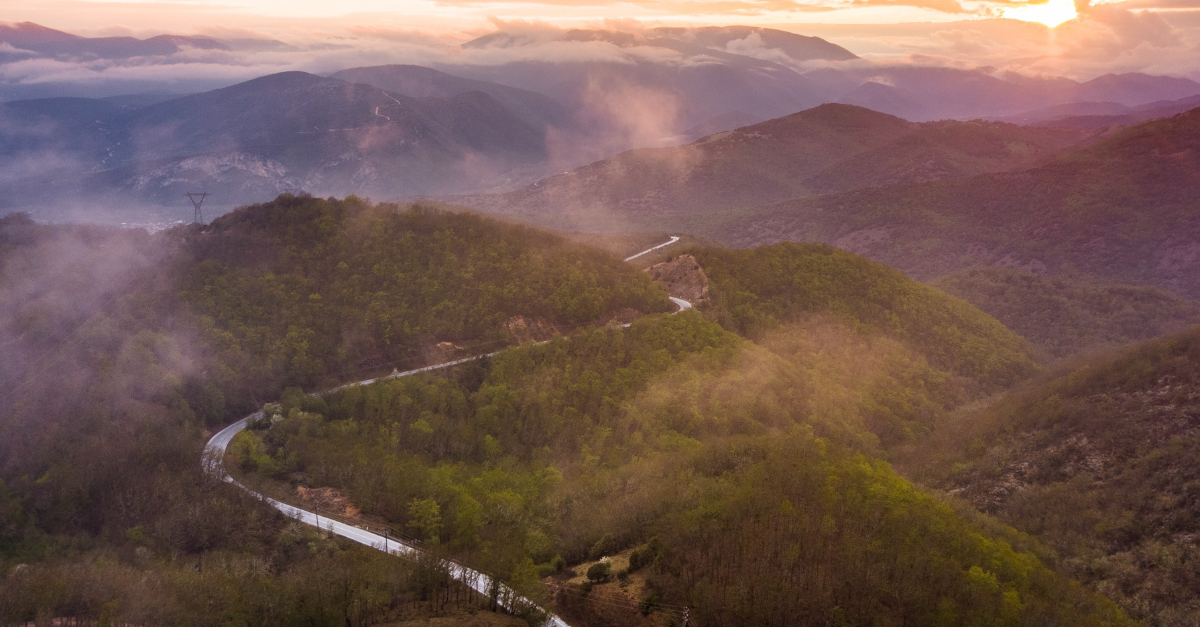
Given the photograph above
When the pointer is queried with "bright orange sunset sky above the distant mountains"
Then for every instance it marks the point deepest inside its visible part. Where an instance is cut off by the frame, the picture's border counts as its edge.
(1078, 39)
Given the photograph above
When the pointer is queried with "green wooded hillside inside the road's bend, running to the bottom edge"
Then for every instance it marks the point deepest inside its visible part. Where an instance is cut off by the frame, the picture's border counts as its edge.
(683, 441)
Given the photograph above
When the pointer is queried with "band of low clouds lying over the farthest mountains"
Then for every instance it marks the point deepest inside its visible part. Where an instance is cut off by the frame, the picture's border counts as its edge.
(1108, 38)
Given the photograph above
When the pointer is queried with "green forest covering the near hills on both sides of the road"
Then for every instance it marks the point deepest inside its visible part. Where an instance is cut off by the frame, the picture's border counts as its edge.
(742, 451)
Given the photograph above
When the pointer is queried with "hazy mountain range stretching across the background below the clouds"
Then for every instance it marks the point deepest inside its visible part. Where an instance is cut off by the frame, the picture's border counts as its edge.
(555, 100)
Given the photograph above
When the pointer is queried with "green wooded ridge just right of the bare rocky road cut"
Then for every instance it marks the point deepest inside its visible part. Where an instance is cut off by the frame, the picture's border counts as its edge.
(760, 289)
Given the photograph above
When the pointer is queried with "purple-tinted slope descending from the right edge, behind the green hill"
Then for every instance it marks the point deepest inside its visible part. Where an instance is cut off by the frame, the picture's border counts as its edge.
(1123, 211)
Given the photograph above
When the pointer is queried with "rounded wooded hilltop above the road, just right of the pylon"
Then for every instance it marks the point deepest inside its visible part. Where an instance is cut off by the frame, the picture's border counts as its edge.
(316, 288)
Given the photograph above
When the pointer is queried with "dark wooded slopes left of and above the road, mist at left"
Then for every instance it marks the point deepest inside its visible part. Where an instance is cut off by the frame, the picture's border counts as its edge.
(122, 349)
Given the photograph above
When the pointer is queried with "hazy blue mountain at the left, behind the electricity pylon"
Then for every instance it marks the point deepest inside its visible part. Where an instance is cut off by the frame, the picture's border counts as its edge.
(287, 132)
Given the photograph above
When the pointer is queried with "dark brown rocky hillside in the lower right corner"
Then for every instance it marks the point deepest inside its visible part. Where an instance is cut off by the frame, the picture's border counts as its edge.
(1100, 463)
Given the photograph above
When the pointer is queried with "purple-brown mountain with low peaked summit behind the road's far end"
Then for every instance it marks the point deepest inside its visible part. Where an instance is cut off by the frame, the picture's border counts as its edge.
(829, 148)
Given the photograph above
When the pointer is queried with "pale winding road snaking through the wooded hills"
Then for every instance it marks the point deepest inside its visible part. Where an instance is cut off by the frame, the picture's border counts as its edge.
(506, 598)
